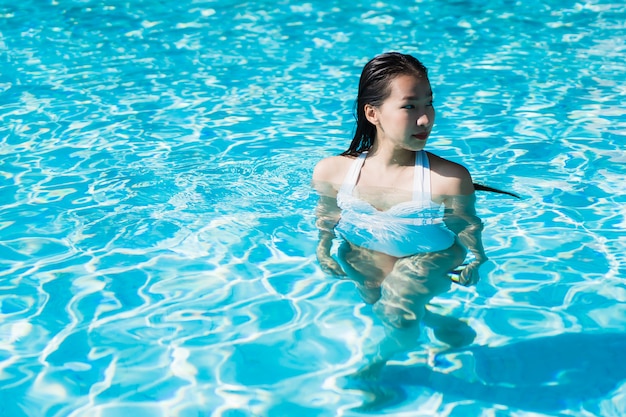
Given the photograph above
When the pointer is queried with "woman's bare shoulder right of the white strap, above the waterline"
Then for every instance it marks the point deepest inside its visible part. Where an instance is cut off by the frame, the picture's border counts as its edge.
(450, 178)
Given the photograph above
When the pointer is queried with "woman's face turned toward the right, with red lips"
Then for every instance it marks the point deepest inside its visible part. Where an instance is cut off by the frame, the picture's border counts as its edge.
(407, 116)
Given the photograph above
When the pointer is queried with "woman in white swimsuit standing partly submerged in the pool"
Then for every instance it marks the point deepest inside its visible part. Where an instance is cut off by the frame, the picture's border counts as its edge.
(405, 217)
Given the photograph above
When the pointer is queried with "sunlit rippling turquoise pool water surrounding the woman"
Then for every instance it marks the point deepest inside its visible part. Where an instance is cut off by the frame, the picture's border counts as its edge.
(157, 231)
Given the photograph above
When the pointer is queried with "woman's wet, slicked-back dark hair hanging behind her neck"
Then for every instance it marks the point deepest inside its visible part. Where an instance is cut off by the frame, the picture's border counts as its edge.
(374, 88)
